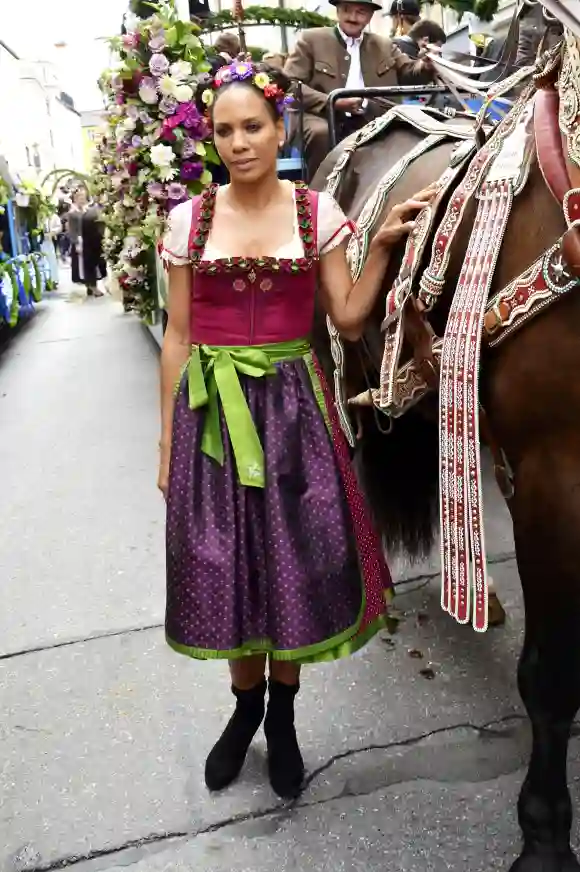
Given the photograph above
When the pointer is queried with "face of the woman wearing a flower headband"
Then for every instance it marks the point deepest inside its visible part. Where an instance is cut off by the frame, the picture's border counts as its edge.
(246, 135)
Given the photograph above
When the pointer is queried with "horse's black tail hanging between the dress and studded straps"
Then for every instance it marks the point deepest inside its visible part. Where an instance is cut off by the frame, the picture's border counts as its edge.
(399, 473)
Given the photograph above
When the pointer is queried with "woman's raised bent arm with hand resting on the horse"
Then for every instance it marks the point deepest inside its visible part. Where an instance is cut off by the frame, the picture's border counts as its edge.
(349, 305)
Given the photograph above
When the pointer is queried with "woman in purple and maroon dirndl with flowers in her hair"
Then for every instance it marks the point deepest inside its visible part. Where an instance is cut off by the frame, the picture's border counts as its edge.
(270, 551)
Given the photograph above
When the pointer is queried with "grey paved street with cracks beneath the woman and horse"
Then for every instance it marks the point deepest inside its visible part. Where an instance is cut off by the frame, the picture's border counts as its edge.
(104, 731)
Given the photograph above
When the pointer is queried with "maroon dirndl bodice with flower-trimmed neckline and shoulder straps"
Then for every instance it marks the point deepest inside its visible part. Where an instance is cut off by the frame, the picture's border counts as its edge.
(243, 301)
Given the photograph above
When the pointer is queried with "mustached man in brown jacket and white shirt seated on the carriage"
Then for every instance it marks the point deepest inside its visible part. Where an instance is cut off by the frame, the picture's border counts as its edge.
(345, 56)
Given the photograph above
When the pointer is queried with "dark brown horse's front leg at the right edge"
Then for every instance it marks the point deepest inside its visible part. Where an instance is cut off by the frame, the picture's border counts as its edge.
(546, 515)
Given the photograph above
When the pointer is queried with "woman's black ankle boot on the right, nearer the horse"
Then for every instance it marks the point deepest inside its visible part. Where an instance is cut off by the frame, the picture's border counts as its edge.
(285, 764)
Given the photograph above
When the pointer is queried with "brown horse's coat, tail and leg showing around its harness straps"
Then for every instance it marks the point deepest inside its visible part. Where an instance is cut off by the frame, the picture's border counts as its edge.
(530, 391)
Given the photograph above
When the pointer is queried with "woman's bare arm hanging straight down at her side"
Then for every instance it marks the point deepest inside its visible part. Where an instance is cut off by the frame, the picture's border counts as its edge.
(174, 354)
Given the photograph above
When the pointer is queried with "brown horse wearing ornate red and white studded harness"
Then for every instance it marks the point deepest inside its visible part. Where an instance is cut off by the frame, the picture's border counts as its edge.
(393, 387)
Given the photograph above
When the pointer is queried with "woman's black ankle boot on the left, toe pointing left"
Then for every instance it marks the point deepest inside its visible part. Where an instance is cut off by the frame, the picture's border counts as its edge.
(227, 756)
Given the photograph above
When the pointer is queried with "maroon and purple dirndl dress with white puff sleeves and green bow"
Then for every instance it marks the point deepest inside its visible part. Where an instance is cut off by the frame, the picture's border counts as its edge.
(270, 546)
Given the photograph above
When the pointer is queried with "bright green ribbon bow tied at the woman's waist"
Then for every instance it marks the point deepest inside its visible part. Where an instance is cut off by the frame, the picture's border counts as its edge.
(213, 372)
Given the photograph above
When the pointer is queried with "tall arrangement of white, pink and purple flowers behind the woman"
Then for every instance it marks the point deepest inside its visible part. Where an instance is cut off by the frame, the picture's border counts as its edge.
(155, 148)
